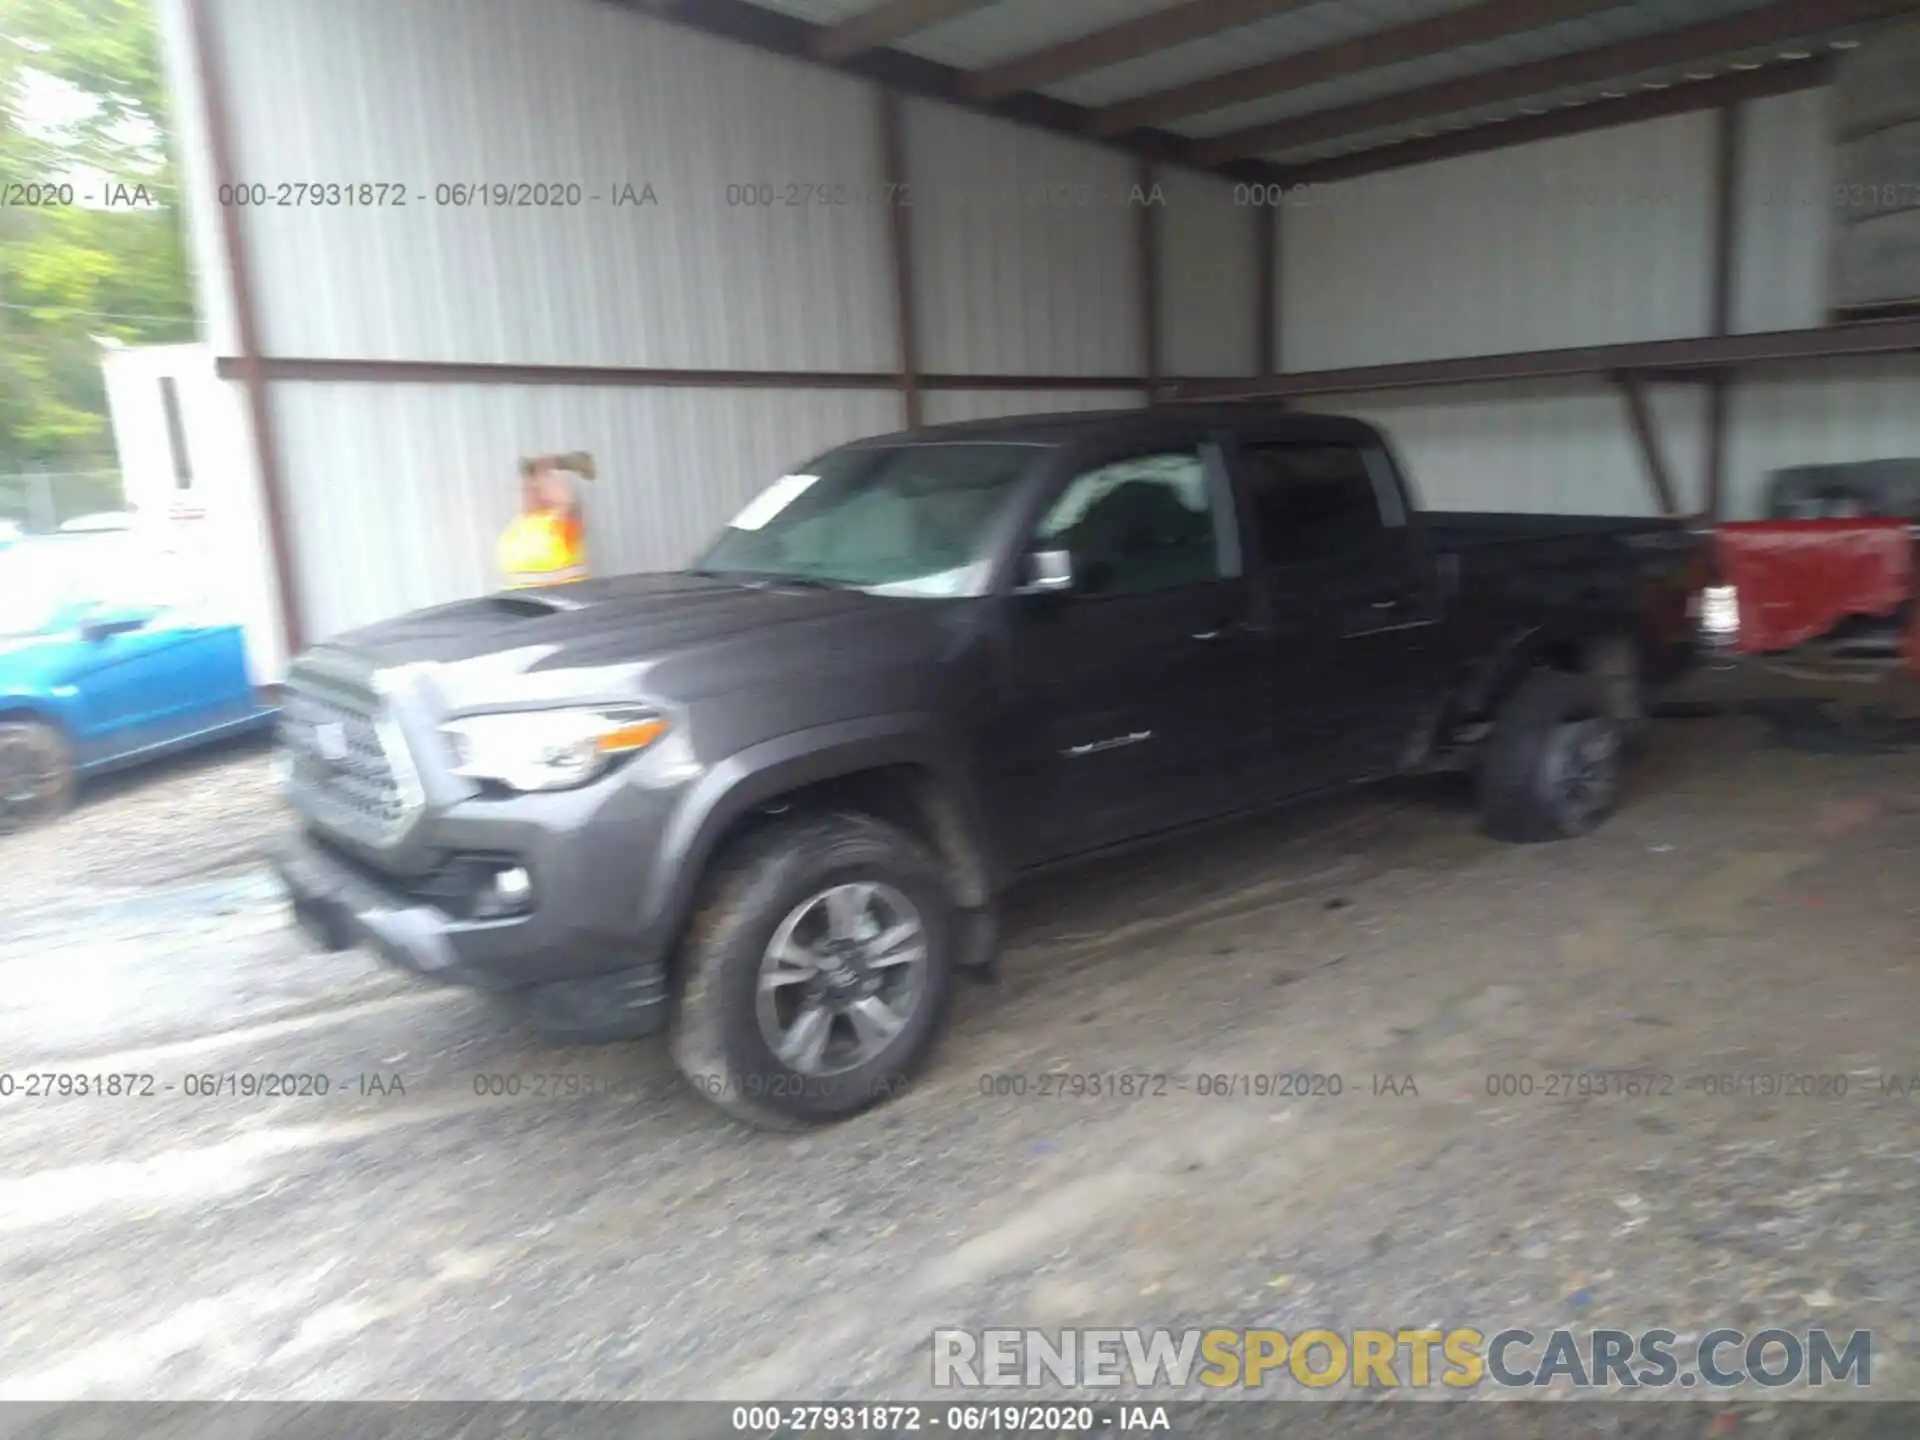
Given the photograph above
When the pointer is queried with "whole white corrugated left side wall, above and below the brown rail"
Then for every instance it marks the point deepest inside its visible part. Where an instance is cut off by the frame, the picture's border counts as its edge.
(765, 251)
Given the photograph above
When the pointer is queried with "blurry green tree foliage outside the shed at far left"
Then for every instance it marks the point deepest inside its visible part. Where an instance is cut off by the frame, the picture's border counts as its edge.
(82, 101)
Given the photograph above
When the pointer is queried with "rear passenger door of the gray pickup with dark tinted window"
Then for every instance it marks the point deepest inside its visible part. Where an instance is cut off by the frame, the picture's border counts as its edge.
(1351, 587)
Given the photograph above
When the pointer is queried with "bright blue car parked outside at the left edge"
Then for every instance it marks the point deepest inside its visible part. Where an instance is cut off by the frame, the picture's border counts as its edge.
(107, 660)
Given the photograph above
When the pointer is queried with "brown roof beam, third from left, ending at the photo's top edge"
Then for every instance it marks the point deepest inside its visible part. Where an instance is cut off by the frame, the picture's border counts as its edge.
(1493, 20)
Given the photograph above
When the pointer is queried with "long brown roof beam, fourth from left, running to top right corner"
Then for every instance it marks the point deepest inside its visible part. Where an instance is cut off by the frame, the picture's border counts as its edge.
(1779, 24)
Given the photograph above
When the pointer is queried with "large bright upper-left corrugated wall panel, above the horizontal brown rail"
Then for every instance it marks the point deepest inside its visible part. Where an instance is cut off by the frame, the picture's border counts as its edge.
(742, 264)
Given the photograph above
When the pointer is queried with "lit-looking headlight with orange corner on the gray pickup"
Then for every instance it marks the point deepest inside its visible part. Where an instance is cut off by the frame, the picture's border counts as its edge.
(550, 750)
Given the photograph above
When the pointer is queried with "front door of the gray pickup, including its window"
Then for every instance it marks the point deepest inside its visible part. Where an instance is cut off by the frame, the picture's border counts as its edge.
(1140, 692)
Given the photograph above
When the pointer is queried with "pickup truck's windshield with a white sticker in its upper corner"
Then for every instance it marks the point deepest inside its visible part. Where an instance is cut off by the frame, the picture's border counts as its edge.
(886, 519)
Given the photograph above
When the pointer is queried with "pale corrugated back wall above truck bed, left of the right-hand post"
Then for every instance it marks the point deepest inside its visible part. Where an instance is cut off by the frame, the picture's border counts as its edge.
(1595, 239)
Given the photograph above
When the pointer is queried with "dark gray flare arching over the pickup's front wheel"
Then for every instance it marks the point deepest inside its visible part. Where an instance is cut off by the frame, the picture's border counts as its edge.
(779, 767)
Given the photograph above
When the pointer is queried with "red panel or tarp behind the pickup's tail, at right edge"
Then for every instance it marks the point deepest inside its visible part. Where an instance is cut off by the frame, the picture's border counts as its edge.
(1800, 579)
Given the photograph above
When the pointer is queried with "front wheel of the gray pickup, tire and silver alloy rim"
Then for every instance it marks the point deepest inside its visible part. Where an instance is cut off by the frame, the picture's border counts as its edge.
(817, 972)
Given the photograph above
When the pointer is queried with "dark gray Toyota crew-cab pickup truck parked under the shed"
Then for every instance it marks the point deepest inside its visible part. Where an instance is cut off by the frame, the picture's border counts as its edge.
(771, 804)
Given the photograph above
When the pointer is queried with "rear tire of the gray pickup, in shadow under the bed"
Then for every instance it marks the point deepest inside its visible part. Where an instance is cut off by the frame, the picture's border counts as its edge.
(1552, 765)
